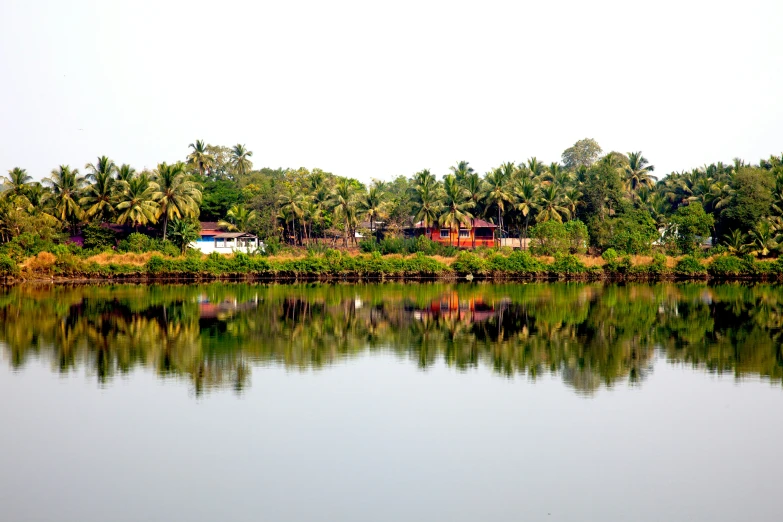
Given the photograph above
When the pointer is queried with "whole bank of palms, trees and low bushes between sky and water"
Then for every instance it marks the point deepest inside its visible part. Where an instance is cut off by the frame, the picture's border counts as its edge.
(590, 216)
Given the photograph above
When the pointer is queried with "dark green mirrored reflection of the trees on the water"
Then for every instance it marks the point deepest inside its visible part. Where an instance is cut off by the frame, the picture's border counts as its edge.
(591, 335)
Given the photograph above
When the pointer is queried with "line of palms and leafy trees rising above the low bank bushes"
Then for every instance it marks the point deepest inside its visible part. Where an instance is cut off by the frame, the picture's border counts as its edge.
(615, 195)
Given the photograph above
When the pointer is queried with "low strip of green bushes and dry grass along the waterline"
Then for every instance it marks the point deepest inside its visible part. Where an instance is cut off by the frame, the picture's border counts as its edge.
(335, 265)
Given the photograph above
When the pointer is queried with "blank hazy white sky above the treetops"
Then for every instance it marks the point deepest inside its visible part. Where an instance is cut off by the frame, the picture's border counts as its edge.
(373, 90)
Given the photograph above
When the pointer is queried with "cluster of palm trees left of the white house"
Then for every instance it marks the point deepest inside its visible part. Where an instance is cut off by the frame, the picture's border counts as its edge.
(109, 193)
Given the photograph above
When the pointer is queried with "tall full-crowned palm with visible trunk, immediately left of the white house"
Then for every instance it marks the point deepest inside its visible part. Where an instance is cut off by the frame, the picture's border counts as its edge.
(177, 196)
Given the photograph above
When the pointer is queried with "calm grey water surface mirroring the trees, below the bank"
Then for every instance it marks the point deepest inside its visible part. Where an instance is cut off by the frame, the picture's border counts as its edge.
(391, 402)
